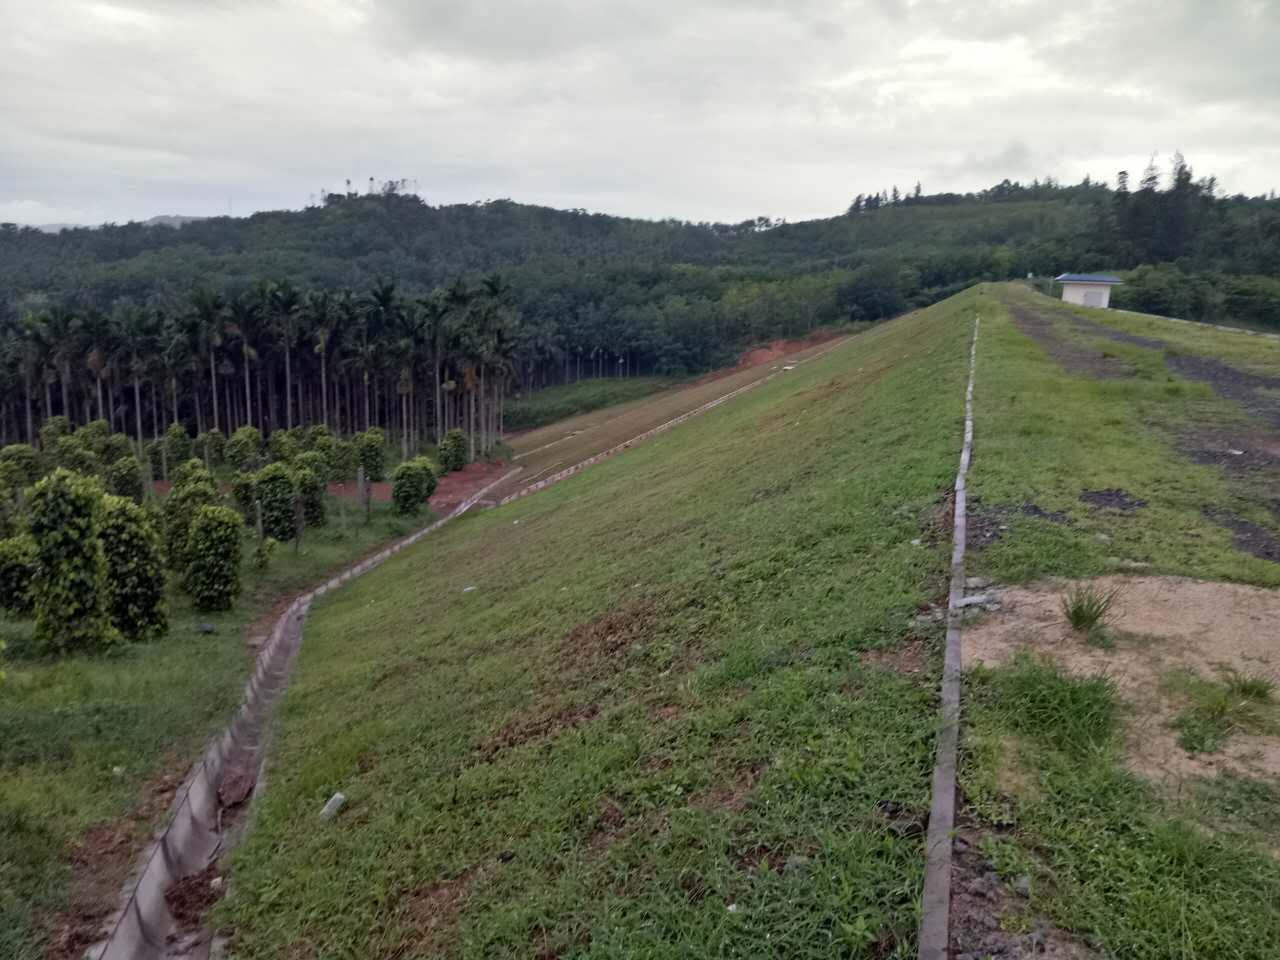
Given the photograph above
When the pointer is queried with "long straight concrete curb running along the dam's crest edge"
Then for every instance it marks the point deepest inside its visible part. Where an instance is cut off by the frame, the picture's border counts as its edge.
(936, 907)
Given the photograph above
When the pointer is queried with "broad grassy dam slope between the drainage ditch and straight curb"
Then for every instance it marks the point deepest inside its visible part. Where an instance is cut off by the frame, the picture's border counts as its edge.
(629, 716)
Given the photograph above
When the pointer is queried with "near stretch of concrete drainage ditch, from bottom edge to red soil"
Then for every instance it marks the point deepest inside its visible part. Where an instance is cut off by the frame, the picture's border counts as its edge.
(144, 927)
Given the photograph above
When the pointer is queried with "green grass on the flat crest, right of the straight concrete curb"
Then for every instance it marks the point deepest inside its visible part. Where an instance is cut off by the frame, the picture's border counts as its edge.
(1130, 868)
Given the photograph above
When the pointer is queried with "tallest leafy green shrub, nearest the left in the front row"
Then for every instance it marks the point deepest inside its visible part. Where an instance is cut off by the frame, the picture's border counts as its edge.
(70, 583)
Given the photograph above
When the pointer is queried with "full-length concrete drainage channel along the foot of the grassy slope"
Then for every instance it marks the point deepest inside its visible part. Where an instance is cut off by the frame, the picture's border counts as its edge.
(144, 929)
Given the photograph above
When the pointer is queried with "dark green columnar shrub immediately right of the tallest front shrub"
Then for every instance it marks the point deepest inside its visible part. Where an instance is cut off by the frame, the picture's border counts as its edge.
(136, 579)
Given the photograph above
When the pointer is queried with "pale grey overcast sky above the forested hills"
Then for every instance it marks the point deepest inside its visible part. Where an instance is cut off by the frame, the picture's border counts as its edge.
(697, 109)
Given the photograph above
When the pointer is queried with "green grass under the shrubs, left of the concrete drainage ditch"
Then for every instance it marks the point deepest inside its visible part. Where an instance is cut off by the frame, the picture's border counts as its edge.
(67, 726)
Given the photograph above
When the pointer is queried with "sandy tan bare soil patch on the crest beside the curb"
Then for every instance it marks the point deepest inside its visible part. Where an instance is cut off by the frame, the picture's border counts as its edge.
(1160, 625)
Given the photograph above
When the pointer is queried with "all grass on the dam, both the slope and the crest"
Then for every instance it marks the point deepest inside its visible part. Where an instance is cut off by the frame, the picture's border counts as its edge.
(683, 705)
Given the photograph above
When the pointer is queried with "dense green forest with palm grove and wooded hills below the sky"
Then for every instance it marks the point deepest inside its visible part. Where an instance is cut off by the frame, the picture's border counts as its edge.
(383, 310)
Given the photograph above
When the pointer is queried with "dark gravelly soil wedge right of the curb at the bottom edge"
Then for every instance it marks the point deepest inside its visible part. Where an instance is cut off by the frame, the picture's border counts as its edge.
(991, 920)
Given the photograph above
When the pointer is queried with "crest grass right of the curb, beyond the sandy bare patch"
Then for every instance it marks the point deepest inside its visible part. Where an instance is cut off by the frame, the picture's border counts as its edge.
(1045, 437)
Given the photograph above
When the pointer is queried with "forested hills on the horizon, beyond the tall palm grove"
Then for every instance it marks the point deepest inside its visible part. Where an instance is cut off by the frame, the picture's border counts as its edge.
(1200, 255)
